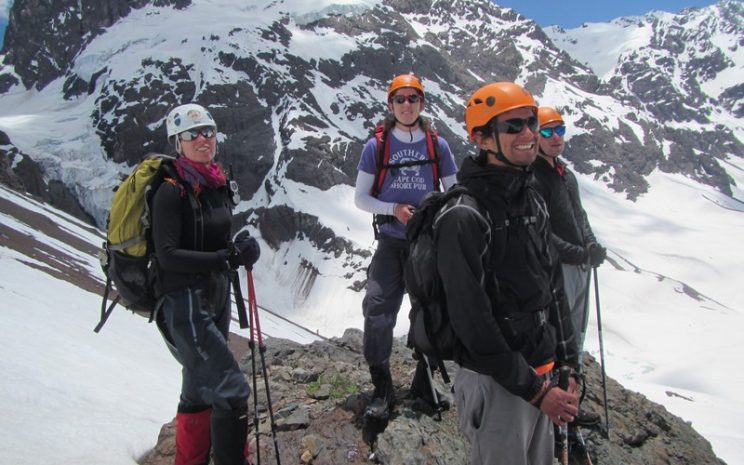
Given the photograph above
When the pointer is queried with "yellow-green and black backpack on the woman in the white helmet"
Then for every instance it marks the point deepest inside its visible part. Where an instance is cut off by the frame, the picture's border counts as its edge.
(127, 255)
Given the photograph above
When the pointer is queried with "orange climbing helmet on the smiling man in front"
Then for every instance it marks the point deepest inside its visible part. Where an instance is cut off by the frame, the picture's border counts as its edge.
(494, 99)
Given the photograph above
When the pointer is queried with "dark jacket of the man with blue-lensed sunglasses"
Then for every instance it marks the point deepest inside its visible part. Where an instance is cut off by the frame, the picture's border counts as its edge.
(568, 220)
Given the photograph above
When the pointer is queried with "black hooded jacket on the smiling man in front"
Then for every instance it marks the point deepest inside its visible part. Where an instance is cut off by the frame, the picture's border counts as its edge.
(496, 277)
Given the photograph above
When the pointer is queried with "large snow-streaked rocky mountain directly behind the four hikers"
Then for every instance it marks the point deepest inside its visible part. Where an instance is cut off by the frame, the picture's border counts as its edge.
(296, 91)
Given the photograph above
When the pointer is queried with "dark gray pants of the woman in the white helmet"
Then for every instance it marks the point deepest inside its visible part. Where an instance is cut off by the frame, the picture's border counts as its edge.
(195, 327)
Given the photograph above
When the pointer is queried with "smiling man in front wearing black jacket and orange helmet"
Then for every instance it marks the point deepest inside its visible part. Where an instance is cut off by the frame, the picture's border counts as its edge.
(502, 290)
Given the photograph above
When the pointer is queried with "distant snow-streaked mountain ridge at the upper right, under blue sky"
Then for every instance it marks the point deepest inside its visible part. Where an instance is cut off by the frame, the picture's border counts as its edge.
(683, 69)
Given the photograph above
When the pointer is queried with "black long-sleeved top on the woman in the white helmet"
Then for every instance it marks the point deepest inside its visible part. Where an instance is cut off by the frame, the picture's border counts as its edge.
(191, 244)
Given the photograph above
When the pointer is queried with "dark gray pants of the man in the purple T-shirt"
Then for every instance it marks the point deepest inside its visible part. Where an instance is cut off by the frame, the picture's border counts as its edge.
(385, 289)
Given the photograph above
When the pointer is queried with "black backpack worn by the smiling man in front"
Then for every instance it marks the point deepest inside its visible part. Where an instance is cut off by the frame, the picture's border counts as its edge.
(430, 331)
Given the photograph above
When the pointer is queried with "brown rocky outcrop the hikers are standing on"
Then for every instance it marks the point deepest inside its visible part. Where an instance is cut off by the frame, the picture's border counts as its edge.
(319, 392)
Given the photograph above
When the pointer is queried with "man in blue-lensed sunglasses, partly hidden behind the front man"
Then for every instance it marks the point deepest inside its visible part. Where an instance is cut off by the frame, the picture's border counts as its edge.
(573, 237)
